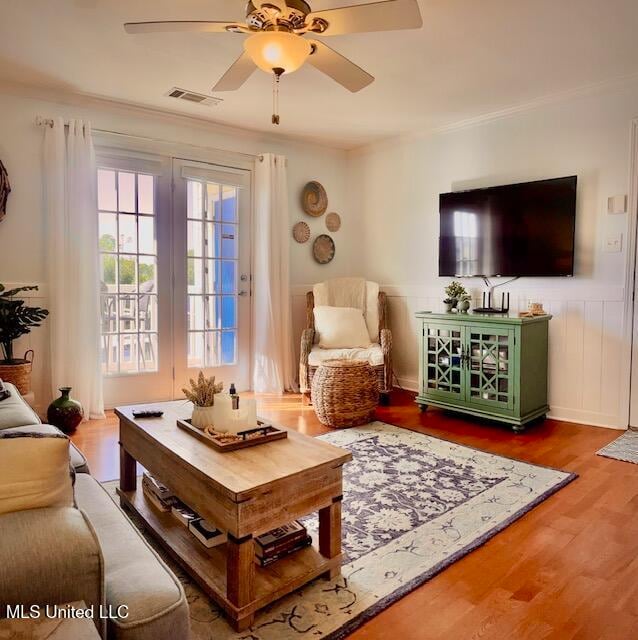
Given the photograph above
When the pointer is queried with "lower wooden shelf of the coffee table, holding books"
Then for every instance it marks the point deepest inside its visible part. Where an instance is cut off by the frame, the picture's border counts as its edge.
(208, 566)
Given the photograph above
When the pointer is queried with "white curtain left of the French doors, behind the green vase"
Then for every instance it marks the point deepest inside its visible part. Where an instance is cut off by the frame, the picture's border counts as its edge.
(70, 203)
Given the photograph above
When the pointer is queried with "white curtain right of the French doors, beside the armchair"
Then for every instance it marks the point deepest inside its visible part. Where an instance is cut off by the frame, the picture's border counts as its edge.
(273, 369)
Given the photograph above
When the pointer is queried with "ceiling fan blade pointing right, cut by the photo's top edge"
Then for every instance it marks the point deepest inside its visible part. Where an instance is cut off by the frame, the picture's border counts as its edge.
(377, 16)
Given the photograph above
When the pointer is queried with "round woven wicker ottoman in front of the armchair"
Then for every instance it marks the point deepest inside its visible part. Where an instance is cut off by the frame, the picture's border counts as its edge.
(345, 393)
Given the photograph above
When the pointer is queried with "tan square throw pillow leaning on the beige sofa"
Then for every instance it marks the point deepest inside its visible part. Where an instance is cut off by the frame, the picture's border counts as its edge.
(34, 471)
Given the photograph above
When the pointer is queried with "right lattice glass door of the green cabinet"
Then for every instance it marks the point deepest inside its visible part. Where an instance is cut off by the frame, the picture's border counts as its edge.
(489, 372)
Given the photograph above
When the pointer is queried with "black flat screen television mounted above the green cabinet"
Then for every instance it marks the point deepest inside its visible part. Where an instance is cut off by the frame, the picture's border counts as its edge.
(514, 230)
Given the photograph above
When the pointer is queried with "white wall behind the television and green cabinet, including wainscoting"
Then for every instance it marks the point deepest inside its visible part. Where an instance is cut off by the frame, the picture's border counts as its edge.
(395, 187)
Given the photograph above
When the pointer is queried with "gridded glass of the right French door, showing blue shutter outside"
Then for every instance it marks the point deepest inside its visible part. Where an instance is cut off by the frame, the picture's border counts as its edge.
(212, 273)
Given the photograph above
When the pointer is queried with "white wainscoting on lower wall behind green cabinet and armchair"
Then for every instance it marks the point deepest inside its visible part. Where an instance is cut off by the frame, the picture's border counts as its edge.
(586, 352)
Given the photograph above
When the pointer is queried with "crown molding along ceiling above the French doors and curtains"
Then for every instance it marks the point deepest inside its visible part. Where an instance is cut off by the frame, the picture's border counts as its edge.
(88, 100)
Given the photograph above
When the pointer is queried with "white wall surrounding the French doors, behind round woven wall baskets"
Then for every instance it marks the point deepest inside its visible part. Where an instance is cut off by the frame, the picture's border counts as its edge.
(22, 232)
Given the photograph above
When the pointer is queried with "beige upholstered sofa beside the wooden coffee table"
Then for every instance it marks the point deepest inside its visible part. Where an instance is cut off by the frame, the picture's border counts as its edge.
(91, 553)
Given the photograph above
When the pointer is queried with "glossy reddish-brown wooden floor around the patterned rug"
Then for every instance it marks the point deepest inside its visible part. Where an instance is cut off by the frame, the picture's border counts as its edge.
(568, 569)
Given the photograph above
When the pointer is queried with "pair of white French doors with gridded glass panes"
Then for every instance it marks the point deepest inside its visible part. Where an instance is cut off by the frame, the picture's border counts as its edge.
(174, 246)
